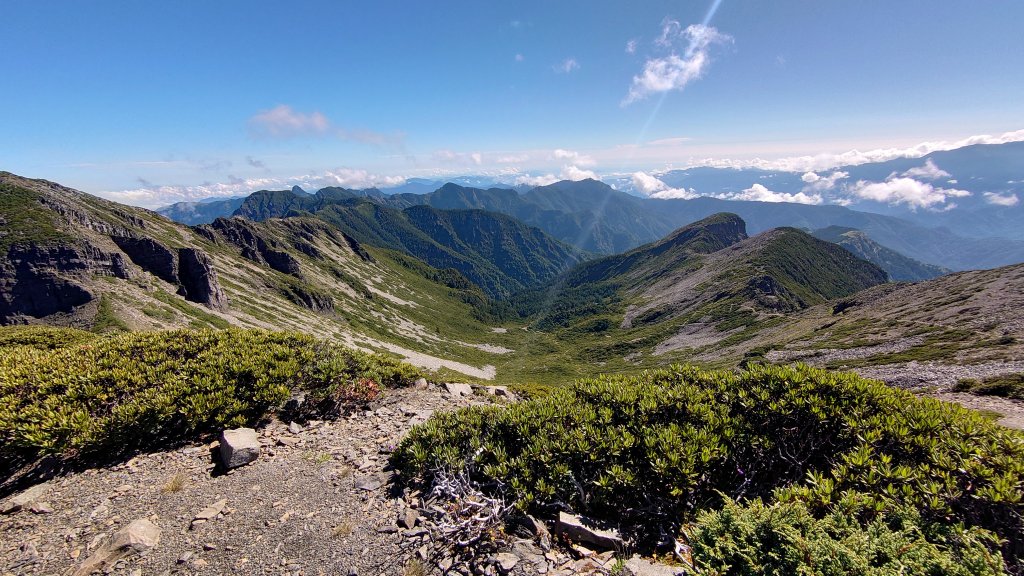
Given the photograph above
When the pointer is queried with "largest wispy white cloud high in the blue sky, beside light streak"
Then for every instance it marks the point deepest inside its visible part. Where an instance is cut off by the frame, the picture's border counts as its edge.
(673, 72)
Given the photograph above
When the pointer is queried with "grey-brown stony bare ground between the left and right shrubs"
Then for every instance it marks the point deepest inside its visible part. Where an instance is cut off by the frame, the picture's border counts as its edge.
(319, 501)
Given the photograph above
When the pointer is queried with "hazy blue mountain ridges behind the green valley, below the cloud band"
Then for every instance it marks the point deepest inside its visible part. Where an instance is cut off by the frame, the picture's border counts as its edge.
(595, 218)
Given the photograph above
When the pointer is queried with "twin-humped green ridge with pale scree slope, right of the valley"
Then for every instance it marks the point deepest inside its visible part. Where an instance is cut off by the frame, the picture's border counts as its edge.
(708, 274)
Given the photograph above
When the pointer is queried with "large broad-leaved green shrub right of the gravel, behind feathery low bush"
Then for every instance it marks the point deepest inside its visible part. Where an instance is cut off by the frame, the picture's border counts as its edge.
(651, 452)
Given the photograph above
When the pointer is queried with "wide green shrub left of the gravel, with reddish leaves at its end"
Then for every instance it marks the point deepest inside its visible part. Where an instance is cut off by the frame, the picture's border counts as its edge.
(134, 391)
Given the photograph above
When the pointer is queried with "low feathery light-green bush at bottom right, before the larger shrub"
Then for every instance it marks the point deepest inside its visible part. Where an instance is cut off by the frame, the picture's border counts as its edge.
(785, 539)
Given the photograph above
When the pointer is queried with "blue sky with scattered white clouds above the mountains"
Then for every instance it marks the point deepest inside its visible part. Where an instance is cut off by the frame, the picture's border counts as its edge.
(152, 103)
